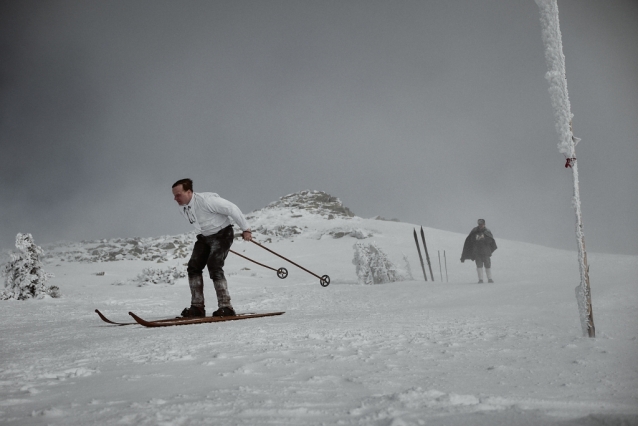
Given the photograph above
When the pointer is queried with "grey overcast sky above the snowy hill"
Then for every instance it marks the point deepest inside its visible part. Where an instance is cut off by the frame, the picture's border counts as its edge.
(433, 112)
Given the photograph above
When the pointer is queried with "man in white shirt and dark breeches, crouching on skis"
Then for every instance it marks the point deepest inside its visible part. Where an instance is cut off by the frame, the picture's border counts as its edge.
(211, 216)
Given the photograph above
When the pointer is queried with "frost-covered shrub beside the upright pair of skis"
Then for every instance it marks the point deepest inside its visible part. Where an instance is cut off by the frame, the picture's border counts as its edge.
(373, 265)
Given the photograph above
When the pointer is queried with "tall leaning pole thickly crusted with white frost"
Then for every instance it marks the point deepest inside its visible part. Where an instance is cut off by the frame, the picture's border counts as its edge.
(557, 79)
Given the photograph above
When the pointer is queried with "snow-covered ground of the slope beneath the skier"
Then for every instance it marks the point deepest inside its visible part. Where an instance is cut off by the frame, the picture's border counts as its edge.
(405, 353)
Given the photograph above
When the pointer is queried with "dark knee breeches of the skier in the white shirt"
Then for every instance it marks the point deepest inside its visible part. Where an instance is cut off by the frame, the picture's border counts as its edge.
(211, 251)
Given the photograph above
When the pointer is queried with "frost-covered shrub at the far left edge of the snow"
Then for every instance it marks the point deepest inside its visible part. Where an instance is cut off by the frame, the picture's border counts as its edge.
(24, 277)
